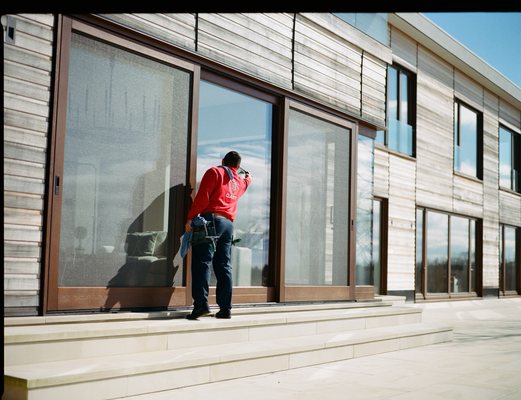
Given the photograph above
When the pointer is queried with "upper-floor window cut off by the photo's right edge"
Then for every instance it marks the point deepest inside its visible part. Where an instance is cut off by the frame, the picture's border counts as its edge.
(509, 159)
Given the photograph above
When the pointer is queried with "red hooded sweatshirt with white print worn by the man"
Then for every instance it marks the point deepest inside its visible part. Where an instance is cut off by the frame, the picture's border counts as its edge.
(218, 193)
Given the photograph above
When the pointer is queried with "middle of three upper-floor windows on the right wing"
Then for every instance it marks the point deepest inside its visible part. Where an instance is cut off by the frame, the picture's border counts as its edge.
(467, 140)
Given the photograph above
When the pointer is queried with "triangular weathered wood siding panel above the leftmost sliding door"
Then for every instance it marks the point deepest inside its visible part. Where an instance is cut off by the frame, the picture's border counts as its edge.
(176, 29)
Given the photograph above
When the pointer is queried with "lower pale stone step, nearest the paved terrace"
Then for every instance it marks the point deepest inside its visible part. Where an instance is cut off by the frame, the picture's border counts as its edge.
(124, 375)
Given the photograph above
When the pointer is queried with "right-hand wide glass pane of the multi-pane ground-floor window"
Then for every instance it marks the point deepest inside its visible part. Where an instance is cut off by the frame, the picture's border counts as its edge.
(459, 259)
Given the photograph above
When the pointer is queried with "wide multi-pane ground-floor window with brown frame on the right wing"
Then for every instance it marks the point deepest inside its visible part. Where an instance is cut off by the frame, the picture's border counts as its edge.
(445, 254)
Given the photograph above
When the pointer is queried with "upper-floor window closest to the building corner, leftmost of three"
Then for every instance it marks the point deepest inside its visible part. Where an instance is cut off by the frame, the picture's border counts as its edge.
(401, 111)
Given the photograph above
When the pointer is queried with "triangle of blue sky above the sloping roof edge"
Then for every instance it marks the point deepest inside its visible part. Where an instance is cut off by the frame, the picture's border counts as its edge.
(493, 36)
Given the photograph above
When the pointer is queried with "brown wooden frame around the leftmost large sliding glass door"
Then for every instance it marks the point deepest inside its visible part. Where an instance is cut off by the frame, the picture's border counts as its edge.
(54, 297)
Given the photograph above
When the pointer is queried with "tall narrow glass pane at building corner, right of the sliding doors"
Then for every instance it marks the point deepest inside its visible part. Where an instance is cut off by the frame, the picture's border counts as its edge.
(364, 214)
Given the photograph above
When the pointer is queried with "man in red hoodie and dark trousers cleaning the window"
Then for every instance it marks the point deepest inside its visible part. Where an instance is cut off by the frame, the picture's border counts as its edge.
(216, 202)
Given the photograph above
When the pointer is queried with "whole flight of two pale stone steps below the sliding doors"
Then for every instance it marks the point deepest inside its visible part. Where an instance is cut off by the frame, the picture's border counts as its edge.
(135, 357)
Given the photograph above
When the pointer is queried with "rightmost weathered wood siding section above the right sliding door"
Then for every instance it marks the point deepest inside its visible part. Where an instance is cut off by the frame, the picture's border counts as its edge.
(334, 63)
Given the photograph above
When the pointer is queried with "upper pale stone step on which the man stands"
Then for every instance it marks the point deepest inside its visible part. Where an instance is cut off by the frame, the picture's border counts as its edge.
(101, 336)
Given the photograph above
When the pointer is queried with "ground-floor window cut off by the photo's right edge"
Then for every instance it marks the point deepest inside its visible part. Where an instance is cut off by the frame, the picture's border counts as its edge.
(509, 266)
